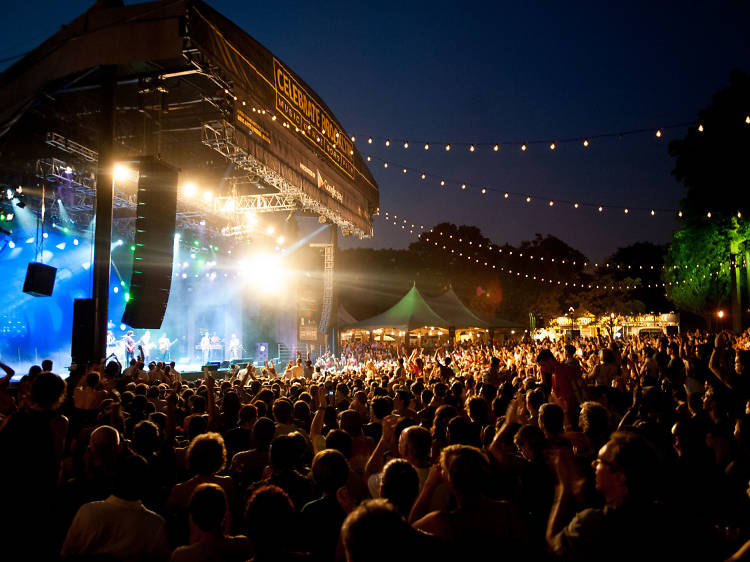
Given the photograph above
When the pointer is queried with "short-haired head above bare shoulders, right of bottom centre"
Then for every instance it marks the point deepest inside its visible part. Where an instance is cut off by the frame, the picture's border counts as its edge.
(466, 469)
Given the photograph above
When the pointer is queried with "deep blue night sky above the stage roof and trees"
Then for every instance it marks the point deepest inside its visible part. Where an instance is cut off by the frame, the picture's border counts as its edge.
(496, 72)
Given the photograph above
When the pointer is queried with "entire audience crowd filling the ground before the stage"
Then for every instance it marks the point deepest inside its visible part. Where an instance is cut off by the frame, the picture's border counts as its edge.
(587, 449)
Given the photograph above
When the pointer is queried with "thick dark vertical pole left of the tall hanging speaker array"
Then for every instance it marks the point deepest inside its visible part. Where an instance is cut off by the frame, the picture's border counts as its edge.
(103, 229)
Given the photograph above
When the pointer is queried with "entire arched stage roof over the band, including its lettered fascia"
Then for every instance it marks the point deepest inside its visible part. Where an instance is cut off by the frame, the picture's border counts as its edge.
(199, 92)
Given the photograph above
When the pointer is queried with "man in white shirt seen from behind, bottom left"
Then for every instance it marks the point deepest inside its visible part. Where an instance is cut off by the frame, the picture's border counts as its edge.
(120, 526)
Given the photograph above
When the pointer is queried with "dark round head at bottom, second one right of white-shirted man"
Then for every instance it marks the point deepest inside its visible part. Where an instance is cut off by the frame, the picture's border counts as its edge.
(266, 508)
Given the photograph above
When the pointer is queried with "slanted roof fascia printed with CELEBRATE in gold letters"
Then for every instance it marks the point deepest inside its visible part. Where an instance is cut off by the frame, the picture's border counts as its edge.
(305, 144)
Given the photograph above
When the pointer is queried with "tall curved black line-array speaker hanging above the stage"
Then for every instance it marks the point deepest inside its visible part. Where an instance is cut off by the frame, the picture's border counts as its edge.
(151, 278)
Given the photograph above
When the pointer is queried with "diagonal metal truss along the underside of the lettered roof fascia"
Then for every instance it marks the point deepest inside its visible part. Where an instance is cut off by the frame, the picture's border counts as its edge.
(221, 136)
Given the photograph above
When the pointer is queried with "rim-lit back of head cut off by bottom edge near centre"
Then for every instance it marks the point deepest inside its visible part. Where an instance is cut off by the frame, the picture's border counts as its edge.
(375, 531)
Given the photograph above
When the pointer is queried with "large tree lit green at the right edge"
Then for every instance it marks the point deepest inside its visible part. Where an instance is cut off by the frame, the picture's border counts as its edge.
(711, 162)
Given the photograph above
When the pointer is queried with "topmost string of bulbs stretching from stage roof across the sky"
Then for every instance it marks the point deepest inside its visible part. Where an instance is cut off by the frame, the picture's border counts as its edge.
(550, 143)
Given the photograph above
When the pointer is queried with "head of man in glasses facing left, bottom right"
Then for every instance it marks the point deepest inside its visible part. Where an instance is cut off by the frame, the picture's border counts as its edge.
(626, 468)
